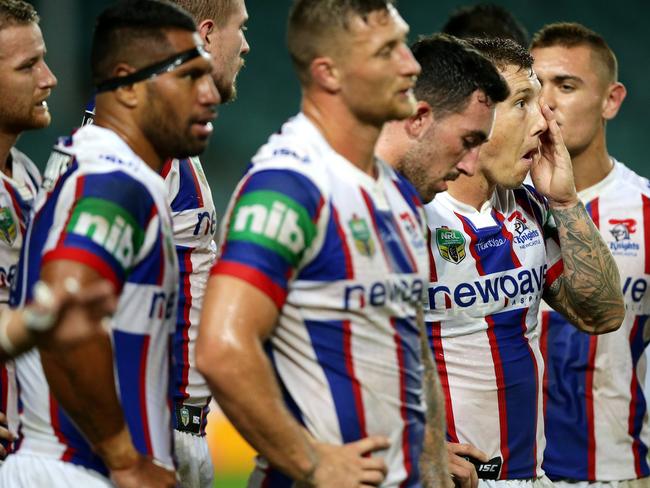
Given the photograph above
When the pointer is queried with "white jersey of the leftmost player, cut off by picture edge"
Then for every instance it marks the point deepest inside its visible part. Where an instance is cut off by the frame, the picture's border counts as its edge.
(16, 200)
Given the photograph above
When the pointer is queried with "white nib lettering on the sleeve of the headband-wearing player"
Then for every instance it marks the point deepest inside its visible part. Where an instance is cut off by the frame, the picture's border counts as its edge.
(115, 237)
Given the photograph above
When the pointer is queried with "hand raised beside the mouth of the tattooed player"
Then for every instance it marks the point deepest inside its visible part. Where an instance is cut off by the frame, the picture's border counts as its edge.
(552, 171)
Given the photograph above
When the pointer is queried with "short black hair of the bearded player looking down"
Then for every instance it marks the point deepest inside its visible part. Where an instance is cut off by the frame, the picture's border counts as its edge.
(451, 71)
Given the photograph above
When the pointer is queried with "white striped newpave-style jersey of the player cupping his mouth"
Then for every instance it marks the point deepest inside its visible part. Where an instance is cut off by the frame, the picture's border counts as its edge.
(489, 271)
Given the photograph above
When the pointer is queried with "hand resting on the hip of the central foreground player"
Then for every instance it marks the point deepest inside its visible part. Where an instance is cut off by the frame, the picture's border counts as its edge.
(346, 467)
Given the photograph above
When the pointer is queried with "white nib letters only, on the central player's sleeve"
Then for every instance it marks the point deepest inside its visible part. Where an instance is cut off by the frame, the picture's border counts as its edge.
(279, 223)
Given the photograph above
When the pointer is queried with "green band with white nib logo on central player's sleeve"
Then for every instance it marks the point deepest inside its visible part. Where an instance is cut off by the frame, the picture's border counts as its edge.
(273, 221)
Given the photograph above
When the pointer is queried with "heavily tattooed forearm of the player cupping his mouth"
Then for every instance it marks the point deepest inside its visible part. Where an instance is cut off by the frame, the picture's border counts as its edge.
(588, 293)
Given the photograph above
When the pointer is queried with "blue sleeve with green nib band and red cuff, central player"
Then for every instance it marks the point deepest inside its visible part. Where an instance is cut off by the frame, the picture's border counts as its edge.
(272, 223)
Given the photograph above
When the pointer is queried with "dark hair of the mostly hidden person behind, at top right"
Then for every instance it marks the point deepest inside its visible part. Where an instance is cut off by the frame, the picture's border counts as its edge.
(485, 20)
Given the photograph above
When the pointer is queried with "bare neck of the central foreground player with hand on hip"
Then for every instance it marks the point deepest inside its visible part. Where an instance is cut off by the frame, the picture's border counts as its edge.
(347, 135)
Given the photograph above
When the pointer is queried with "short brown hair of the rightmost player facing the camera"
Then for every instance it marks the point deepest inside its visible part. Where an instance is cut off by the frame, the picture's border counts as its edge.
(572, 34)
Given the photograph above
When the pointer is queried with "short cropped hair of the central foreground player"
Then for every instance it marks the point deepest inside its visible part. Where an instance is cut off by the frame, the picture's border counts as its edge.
(313, 22)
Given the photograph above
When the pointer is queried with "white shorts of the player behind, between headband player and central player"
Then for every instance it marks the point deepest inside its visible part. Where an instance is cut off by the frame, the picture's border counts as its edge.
(195, 468)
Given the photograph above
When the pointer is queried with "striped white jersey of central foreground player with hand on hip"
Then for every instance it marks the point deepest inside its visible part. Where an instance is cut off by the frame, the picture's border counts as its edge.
(343, 257)
